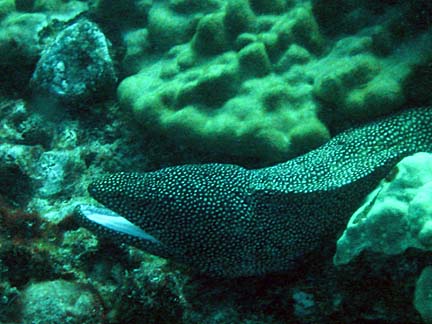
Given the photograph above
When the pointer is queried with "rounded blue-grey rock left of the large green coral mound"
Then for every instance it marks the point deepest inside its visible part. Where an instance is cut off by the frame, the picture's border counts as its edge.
(77, 66)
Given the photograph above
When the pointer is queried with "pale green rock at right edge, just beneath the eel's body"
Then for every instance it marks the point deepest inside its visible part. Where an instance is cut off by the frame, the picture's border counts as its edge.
(396, 216)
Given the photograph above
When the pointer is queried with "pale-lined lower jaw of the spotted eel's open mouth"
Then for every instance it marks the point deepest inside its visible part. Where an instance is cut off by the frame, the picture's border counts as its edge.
(109, 219)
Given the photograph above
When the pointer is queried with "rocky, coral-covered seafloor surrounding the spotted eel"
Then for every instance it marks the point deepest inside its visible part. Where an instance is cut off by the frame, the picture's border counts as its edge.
(100, 86)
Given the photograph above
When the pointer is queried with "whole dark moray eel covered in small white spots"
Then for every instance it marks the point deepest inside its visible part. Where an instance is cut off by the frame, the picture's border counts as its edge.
(226, 221)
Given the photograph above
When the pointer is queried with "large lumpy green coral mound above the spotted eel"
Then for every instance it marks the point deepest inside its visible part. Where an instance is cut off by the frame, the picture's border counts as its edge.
(256, 80)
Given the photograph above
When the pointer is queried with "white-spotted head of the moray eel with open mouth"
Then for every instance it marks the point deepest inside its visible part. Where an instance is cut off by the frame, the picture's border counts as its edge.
(193, 214)
